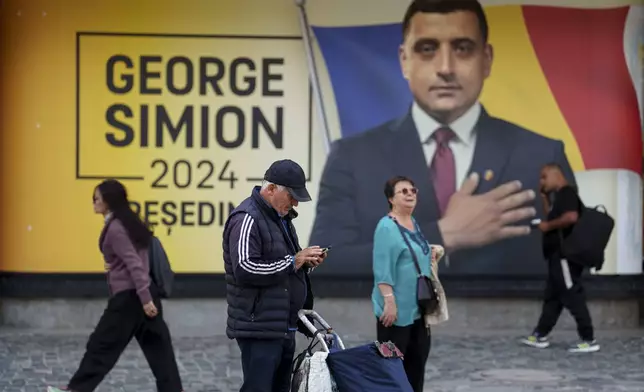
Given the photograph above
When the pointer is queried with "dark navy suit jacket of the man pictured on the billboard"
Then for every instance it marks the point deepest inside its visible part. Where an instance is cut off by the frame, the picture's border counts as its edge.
(351, 199)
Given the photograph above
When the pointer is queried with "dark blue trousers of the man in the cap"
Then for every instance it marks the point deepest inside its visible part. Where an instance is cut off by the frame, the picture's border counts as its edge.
(267, 364)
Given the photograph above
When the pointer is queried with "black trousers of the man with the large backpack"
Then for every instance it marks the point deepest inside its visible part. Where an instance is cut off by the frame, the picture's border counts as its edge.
(565, 289)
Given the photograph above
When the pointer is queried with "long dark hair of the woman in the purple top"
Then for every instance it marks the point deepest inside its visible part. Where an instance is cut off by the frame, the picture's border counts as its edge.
(114, 196)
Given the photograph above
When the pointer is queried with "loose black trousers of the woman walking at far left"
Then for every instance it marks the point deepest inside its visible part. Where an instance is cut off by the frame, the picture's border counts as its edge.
(122, 320)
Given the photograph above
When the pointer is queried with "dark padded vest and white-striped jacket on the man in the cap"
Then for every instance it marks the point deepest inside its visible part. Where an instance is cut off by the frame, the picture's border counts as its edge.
(264, 291)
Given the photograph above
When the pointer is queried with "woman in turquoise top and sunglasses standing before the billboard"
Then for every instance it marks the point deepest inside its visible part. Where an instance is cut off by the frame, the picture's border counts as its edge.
(395, 279)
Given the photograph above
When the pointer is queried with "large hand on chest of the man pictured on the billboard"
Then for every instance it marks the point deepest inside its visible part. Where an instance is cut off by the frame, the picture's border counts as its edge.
(476, 220)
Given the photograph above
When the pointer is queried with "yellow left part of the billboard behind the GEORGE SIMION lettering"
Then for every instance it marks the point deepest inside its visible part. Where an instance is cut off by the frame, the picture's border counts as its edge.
(48, 224)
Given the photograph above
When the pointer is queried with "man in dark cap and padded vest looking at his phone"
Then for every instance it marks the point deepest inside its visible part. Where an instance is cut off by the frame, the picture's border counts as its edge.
(267, 277)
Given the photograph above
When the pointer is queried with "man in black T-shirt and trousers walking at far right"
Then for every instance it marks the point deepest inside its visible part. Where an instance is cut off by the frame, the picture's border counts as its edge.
(564, 287)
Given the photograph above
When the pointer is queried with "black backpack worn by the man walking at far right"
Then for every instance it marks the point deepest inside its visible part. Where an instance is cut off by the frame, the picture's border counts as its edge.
(588, 238)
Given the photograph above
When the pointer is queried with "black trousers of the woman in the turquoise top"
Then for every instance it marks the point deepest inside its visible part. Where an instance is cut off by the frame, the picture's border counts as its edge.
(415, 342)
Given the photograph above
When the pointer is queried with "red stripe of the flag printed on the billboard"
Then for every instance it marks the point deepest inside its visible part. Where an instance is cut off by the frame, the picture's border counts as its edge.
(581, 52)
